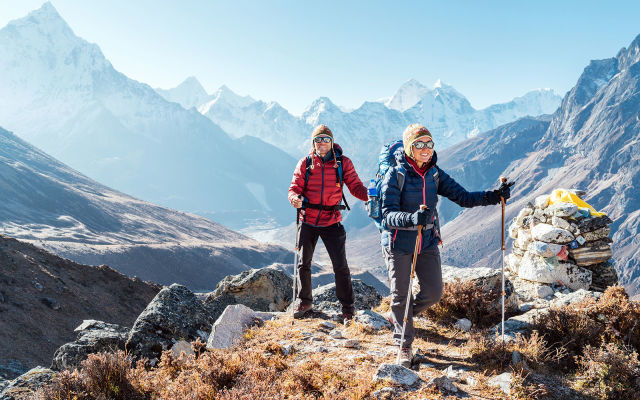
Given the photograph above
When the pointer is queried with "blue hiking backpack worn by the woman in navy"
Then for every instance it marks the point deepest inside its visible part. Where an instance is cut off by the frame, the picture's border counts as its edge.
(386, 160)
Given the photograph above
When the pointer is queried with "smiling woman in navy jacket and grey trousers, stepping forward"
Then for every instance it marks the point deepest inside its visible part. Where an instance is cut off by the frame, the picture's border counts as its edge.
(401, 199)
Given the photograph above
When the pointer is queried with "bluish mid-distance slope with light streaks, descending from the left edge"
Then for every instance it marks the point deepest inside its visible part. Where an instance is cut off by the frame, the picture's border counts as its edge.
(54, 207)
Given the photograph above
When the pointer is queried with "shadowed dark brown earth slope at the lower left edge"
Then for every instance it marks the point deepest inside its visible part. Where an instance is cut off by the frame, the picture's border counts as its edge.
(43, 298)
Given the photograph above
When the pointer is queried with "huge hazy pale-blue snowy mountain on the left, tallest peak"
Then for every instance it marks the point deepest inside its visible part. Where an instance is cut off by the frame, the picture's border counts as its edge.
(61, 94)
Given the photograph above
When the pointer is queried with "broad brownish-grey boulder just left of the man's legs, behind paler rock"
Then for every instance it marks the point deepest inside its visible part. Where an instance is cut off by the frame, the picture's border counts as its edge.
(264, 289)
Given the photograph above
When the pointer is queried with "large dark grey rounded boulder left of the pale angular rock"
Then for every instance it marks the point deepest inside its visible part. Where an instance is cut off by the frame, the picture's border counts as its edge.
(175, 313)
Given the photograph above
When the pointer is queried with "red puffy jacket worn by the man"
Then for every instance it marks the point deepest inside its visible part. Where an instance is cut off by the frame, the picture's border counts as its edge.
(322, 187)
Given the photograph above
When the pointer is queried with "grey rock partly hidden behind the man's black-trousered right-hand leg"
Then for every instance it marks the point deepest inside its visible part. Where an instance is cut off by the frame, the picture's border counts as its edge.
(366, 297)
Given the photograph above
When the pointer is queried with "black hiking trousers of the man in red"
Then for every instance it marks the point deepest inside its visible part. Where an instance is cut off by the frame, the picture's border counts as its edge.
(334, 238)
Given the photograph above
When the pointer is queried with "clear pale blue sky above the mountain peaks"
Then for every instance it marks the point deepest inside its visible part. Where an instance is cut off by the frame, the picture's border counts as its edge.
(350, 51)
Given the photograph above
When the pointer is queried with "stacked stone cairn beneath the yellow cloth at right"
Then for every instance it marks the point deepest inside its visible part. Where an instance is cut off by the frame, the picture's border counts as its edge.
(559, 246)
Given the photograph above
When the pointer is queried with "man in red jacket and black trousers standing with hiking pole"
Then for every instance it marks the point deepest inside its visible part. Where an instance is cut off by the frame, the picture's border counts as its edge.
(316, 187)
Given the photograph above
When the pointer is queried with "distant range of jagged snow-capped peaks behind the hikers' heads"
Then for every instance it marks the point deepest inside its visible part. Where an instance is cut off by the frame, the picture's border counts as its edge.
(361, 132)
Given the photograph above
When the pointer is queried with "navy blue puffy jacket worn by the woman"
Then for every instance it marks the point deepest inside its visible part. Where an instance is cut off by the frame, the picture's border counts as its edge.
(397, 206)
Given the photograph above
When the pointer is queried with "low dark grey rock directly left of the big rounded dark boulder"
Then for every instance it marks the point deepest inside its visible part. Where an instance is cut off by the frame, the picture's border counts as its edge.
(93, 337)
